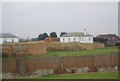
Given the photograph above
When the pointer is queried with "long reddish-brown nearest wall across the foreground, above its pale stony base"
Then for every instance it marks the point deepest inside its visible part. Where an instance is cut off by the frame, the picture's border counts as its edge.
(23, 65)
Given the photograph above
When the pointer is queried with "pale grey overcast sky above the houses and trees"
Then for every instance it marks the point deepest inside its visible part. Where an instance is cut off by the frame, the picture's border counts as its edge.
(31, 19)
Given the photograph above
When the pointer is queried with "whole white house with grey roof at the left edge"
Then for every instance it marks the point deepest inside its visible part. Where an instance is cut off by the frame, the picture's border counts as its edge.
(7, 38)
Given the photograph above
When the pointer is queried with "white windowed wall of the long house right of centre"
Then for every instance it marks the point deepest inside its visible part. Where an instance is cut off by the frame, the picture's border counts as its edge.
(77, 39)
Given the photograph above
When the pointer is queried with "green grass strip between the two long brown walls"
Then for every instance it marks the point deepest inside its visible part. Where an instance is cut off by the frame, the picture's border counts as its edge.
(105, 51)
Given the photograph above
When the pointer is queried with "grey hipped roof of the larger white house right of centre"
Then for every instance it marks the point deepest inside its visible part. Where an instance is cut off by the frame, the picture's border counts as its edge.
(75, 34)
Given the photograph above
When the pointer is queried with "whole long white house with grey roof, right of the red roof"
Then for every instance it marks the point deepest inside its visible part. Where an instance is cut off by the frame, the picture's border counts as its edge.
(77, 37)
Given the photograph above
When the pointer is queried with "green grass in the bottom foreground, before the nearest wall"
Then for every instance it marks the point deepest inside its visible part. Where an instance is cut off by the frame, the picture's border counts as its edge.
(104, 75)
